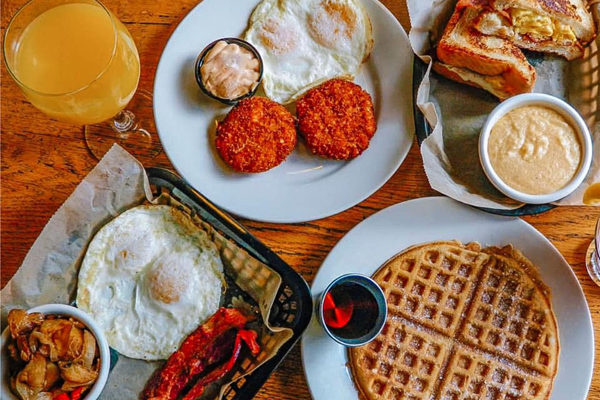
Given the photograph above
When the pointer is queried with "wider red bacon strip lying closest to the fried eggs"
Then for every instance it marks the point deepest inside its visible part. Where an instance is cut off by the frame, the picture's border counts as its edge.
(205, 346)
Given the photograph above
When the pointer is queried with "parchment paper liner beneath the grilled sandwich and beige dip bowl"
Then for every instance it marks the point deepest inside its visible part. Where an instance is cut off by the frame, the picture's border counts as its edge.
(450, 153)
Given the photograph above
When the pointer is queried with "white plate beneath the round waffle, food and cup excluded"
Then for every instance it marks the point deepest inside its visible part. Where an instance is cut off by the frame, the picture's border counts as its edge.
(386, 233)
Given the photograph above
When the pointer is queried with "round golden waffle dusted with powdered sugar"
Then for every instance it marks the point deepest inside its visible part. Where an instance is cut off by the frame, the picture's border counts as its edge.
(464, 323)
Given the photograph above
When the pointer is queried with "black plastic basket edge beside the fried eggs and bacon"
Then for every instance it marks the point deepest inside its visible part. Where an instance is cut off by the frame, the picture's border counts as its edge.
(292, 307)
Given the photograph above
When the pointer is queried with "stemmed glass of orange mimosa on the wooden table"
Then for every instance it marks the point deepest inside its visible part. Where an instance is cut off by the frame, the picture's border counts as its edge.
(76, 62)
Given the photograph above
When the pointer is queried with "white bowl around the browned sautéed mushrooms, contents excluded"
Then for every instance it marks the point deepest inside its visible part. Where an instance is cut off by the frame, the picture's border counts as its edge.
(62, 309)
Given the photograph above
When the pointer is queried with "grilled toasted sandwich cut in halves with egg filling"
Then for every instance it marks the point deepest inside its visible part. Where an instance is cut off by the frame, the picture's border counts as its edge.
(481, 43)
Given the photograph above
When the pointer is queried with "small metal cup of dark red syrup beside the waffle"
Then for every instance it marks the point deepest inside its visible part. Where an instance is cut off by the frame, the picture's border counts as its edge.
(352, 310)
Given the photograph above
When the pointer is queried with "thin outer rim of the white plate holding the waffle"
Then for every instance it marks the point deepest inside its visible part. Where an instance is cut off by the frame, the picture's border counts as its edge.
(540, 236)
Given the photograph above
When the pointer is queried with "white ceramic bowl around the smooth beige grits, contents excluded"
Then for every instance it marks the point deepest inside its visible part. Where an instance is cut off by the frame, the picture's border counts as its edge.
(556, 104)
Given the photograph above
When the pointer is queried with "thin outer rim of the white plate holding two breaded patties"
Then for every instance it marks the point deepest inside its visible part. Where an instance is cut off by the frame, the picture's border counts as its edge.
(346, 205)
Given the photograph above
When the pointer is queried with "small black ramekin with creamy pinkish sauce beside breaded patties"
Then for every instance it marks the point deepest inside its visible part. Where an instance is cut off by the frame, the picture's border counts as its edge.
(229, 70)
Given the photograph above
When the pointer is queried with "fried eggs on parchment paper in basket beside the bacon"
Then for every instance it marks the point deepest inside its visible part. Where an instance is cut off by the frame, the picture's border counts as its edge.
(148, 279)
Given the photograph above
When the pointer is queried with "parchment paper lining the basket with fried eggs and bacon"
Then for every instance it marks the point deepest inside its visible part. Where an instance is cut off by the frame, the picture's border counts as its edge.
(49, 272)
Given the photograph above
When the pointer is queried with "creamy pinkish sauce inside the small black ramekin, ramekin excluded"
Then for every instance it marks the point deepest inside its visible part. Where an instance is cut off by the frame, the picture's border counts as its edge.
(229, 70)
